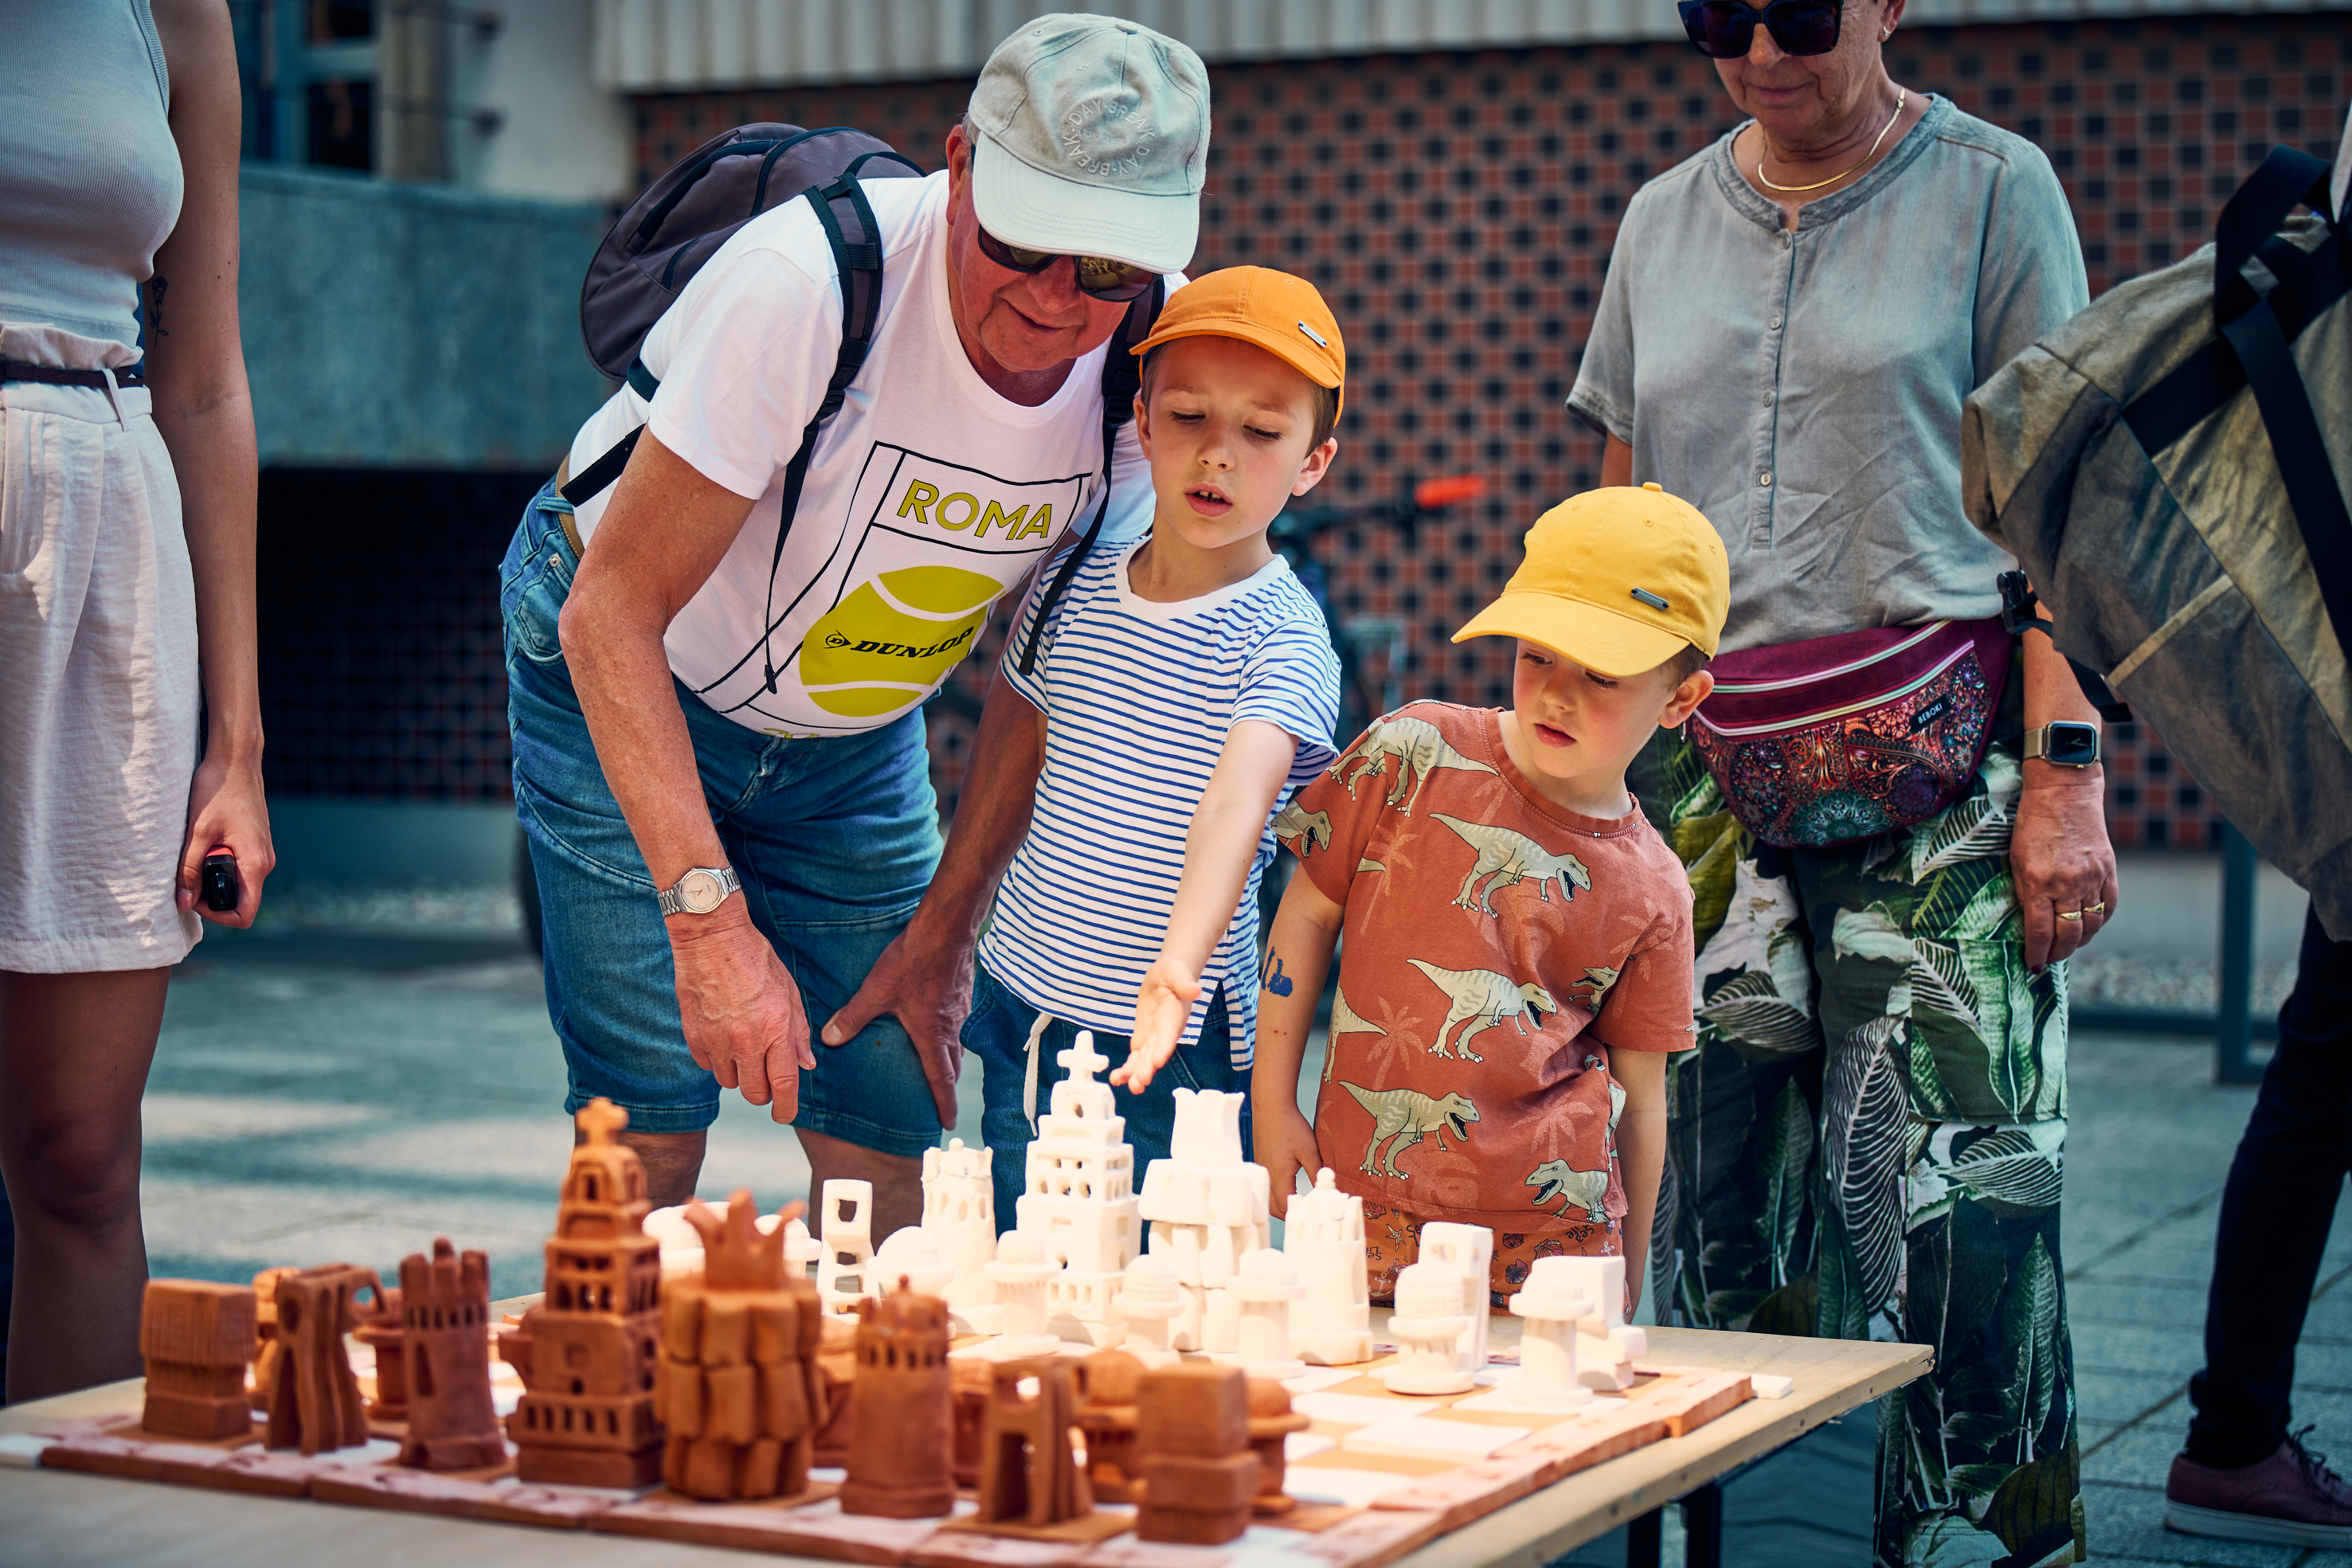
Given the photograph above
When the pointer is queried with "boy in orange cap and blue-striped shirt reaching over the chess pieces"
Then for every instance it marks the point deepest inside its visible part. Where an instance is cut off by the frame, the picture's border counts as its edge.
(1184, 685)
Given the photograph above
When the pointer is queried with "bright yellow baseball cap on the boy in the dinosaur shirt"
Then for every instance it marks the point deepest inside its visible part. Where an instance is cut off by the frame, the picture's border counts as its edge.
(1619, 582)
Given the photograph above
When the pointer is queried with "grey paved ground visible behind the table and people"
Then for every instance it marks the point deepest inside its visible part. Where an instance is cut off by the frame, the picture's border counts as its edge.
(352, 1097)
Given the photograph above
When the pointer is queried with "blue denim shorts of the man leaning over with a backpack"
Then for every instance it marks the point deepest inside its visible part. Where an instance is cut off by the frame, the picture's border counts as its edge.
(834, 843)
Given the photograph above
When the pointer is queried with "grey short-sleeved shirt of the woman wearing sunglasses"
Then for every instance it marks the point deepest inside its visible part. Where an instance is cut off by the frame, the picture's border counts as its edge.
(1803, 389)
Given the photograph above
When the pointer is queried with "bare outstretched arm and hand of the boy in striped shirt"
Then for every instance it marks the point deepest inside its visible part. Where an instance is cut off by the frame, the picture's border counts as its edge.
(1217, 857)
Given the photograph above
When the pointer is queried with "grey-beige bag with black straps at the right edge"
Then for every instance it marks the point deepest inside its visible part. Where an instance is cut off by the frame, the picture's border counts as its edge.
(2167, 469)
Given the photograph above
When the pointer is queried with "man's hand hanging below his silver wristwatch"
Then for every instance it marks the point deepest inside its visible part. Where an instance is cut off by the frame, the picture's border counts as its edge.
(740, 1007)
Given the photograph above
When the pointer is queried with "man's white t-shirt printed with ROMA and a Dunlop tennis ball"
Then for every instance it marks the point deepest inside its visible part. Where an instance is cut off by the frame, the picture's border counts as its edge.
(928, 495)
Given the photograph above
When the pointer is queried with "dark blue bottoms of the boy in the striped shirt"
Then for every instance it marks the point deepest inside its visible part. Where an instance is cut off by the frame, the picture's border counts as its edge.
(998, 1033)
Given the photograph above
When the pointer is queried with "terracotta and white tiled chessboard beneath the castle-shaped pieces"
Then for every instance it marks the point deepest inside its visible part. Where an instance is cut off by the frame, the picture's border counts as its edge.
(1372, 1477)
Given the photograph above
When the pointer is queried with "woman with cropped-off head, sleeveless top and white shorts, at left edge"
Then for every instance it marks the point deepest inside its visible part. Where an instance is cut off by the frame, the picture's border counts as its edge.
(126, 622)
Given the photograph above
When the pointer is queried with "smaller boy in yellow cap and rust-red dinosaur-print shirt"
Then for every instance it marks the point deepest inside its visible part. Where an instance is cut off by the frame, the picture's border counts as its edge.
(1518, 937)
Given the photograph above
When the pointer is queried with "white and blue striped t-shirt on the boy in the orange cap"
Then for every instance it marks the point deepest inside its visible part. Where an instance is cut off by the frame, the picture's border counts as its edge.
(1137, 702)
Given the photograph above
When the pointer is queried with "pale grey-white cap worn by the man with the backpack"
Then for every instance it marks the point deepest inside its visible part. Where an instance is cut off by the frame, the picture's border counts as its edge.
(1097, 142)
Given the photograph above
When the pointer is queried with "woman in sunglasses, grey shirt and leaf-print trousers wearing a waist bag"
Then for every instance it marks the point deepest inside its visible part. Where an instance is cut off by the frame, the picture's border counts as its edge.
(1869, 1139)
